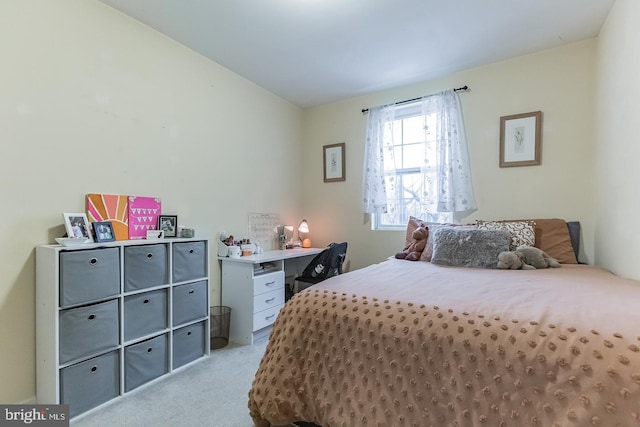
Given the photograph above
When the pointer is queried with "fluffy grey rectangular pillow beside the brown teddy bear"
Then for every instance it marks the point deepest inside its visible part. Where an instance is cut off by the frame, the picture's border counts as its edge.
(464, 247)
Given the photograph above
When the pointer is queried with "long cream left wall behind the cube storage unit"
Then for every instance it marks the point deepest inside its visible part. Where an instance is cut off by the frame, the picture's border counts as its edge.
(92, 101)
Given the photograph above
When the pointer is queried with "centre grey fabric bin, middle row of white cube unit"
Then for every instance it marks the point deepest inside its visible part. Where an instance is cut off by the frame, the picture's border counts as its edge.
(145, 313)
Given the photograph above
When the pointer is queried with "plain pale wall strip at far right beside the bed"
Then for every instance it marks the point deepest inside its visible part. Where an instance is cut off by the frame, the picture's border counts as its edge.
(618, 149)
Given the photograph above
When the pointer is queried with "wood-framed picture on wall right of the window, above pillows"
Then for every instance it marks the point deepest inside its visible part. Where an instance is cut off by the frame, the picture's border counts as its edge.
(520, 139)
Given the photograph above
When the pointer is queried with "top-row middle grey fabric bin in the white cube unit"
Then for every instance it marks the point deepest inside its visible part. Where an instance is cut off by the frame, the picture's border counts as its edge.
(145, 266)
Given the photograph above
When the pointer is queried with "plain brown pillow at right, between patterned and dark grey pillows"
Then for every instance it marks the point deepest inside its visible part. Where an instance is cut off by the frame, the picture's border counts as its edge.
(552, 236)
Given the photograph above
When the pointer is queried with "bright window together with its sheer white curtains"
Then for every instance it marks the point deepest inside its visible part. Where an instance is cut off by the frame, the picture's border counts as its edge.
(416, 162)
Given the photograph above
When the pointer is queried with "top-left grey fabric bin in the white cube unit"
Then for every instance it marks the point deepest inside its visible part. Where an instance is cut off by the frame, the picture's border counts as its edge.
(89, 275)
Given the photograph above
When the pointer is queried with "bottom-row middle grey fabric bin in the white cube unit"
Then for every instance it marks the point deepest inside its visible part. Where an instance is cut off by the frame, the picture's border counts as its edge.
(145, 361)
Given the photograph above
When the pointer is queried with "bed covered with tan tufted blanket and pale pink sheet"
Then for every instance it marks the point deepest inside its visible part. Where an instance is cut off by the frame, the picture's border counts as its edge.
(403, 343)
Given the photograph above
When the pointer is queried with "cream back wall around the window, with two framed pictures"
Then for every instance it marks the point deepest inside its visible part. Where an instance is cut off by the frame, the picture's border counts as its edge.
(560, 82)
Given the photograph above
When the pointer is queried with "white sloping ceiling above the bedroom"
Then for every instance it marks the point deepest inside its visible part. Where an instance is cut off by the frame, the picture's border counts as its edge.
(311, 52)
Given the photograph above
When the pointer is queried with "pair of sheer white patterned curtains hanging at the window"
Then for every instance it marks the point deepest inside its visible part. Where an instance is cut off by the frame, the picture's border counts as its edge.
(453, 190)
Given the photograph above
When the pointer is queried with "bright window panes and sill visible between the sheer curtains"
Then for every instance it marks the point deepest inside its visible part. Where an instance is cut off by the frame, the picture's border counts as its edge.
(409, 168)
